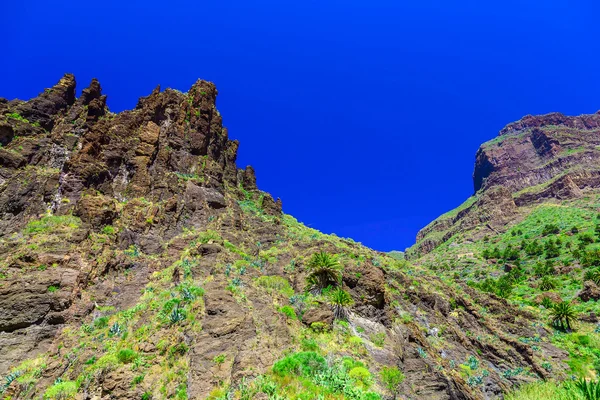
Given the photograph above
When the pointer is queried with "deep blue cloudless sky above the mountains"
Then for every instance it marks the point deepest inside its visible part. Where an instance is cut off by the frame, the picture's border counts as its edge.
(363, 116)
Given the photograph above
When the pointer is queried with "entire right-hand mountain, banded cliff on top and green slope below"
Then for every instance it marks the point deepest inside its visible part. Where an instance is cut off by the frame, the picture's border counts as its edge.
(530, 233)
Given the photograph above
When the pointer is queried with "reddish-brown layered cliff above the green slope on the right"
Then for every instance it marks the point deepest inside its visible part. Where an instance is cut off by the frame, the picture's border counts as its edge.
(536, 159)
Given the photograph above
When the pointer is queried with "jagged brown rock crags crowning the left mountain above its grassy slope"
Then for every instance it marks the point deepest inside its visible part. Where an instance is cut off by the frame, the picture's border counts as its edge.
(172, 145)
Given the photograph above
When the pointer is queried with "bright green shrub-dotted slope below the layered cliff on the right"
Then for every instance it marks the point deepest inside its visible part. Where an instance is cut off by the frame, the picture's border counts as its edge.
(538, 265)
